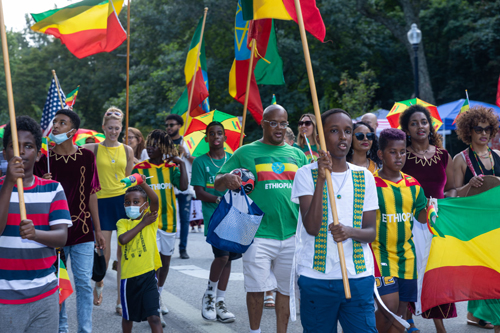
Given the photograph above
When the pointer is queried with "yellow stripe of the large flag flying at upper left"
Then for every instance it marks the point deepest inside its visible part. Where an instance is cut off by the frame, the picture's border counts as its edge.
(72, 20)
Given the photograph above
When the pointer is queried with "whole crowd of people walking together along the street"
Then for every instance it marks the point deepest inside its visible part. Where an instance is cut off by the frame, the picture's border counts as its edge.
(75, 199)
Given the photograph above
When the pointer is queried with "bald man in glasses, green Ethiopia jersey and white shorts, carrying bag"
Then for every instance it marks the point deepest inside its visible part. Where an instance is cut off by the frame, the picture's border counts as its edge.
(267, 263)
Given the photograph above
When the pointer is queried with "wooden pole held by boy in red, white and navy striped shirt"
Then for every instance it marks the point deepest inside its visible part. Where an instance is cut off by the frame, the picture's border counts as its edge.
(12, 111)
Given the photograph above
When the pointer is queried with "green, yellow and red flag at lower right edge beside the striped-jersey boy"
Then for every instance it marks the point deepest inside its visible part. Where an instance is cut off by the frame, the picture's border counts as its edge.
(463, 263)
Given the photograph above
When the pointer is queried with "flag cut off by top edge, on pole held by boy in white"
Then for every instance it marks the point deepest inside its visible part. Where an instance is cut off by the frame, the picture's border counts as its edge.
(285, 10)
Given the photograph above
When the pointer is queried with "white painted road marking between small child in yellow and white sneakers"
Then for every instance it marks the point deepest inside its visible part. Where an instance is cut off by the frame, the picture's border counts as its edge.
(192, 315)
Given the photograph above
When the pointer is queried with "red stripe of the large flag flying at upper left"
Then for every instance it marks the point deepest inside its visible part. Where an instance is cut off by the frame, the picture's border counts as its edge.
(88, 42)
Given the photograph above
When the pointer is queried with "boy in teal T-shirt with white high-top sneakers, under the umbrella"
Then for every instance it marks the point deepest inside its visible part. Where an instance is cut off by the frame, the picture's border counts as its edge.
(205, 168)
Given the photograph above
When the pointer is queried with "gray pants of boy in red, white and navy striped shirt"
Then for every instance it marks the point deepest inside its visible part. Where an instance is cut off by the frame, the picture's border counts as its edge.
(41, 316)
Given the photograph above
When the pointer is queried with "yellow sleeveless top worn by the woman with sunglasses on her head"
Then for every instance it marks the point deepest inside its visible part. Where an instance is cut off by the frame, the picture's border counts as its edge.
(110, 184)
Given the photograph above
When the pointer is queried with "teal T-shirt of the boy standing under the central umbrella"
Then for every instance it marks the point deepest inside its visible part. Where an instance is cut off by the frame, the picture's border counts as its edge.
(204, 171)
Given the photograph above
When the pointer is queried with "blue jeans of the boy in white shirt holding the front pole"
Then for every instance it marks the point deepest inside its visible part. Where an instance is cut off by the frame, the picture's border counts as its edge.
(323, 303)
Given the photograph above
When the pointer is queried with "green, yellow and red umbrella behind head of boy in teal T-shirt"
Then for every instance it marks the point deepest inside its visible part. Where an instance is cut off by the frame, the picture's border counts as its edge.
(195, 134)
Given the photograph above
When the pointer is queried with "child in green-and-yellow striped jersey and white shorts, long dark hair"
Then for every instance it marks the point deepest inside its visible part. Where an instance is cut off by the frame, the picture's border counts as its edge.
(165, 175)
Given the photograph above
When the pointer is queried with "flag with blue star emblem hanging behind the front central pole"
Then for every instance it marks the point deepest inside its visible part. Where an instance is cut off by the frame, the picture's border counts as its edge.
(244, 31)
